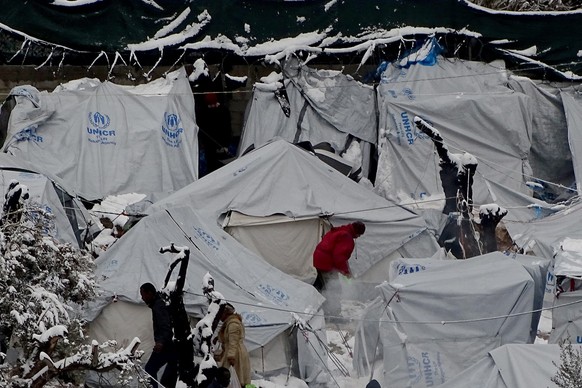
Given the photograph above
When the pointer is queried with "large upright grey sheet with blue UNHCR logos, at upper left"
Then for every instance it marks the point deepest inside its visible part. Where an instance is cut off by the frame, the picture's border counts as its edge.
(107, 139)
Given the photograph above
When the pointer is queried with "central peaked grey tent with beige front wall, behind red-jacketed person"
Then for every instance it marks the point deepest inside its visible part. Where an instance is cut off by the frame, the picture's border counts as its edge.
(274, 199)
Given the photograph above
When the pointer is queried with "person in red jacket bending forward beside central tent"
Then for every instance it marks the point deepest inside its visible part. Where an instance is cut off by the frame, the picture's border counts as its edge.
(331, 256)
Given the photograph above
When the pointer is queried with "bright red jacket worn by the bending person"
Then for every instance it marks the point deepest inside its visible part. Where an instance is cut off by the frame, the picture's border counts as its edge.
(334, 250)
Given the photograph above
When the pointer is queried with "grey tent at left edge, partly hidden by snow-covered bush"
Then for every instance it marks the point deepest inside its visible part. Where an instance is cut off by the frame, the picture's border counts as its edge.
(70, 222)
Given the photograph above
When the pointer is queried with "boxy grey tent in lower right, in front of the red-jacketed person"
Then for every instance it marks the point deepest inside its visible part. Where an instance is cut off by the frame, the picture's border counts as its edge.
(434, 323)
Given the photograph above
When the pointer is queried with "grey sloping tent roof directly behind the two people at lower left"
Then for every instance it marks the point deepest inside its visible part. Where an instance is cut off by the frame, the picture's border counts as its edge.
(263, 295)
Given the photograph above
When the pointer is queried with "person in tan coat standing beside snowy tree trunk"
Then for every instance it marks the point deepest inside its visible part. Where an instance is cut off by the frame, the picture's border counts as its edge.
(234, 352)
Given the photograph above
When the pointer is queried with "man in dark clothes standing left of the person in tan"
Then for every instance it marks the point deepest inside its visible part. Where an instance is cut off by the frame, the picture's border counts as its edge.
(163, 352)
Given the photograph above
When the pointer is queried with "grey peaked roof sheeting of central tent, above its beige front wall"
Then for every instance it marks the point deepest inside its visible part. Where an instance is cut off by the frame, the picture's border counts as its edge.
(280, 178)
